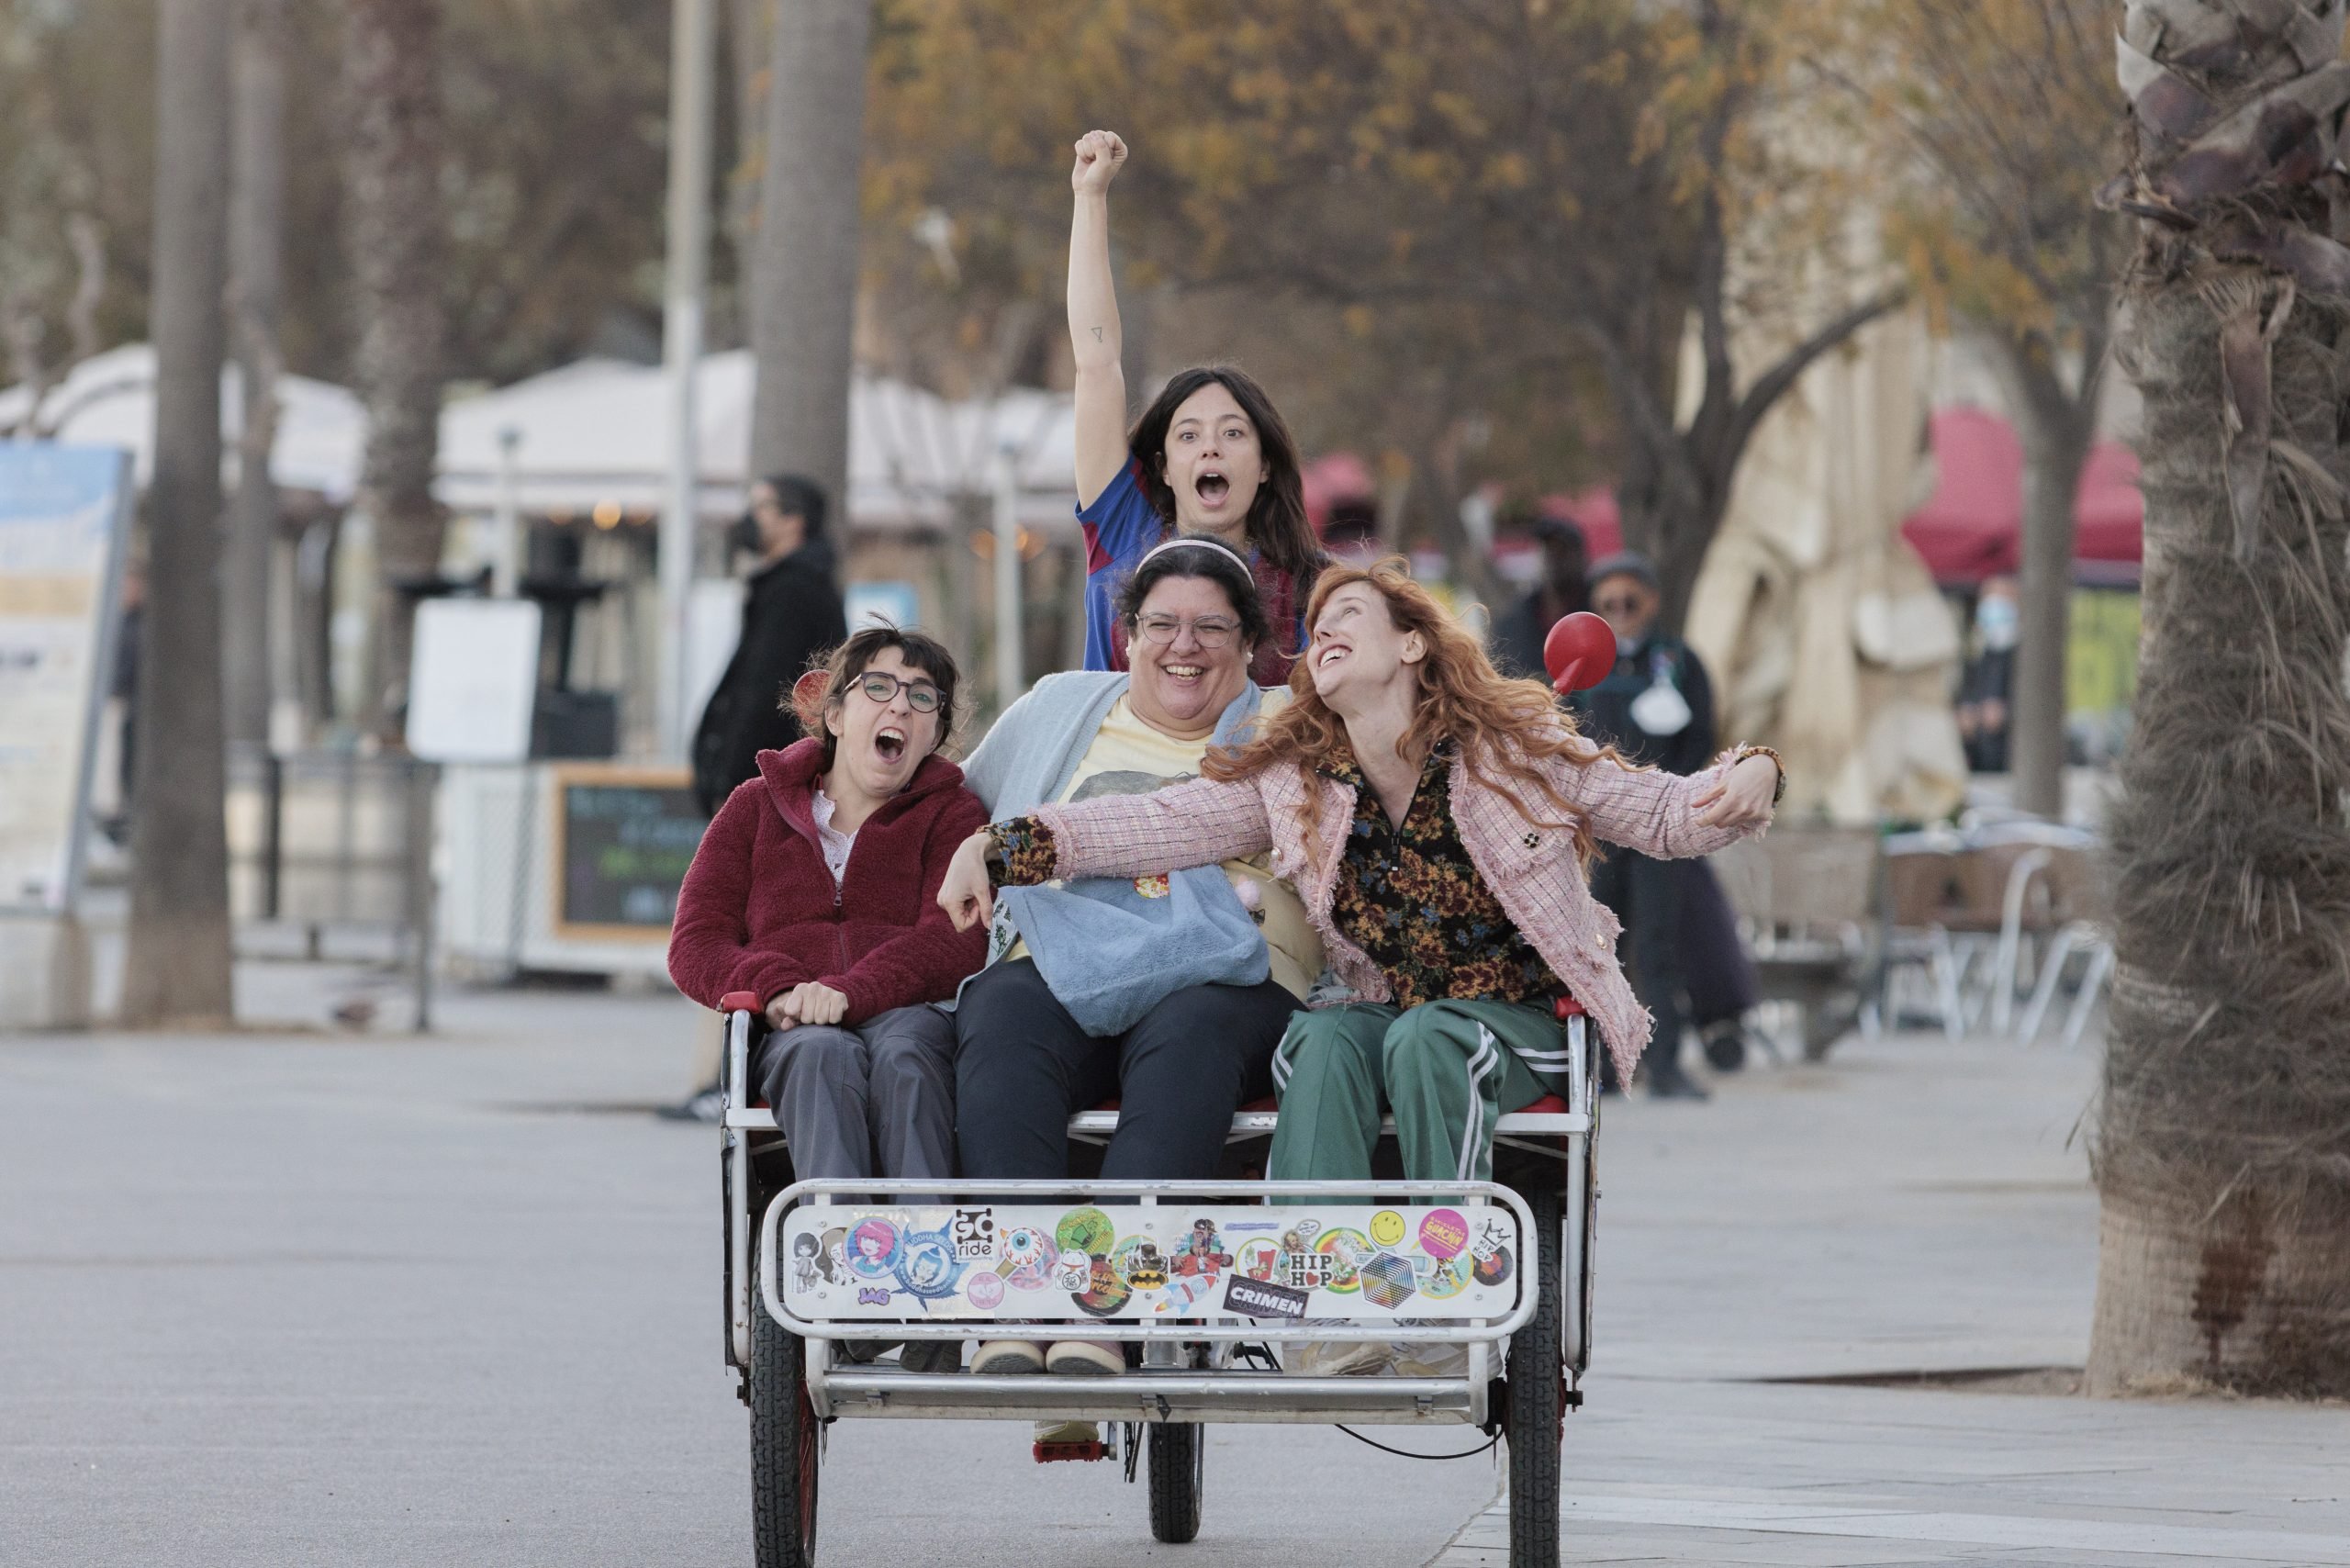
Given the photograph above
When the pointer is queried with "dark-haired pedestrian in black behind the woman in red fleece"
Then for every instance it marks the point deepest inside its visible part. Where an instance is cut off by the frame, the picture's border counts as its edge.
(791, 617)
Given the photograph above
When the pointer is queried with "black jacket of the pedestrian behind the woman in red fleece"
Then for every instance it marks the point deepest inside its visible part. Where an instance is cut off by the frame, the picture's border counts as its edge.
(791, 615)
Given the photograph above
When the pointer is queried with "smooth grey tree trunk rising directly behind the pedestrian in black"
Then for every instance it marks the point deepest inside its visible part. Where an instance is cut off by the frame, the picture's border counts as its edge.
(807, 257)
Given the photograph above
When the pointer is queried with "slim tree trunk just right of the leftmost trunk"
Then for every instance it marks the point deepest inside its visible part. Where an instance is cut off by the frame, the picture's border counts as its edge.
(255, 220)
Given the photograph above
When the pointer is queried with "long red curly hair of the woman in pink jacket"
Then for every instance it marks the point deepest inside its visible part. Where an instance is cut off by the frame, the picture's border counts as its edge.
(1503, 725)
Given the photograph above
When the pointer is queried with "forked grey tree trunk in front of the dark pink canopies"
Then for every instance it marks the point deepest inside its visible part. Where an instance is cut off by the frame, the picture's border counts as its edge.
(2057, 429)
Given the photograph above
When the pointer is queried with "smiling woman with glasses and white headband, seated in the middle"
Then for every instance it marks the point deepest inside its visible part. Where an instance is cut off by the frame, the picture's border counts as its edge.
(1167, 993)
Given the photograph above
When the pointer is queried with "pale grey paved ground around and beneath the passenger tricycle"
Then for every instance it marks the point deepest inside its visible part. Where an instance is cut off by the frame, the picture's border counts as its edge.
(328, 1299)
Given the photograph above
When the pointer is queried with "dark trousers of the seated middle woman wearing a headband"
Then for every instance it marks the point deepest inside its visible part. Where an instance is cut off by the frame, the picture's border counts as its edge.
(1023, 1066)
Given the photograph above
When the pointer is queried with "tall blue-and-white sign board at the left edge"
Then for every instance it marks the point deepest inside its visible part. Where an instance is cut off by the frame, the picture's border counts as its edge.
(62, 523)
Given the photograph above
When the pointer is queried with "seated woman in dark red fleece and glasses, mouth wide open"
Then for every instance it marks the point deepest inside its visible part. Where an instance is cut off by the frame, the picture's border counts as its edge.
(817, 890)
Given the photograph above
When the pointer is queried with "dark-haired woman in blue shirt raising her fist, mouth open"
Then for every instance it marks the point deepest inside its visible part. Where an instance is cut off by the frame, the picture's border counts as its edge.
(1209, 457)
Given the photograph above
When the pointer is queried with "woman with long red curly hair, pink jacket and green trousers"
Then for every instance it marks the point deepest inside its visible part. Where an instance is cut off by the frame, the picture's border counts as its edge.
(1439, 824)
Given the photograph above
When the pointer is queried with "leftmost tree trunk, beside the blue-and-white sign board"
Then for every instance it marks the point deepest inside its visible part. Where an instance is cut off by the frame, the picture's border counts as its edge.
(180, 946)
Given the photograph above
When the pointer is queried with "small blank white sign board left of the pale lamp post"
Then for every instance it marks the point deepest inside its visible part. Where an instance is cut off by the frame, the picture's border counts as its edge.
(474, 681)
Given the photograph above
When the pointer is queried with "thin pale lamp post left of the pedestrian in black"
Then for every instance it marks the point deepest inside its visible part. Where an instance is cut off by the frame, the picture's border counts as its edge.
(683, 347)
